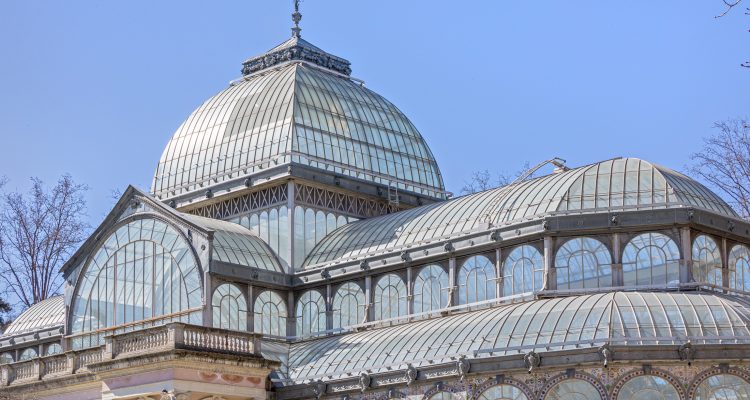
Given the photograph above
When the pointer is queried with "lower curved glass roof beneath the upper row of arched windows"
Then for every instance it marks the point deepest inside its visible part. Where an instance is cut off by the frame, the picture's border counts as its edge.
(568, 323)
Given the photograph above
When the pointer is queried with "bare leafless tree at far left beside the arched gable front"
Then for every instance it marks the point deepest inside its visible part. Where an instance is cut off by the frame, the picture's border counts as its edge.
(38, 232)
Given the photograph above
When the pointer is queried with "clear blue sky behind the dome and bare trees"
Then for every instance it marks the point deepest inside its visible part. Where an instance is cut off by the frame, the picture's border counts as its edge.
(96, 88)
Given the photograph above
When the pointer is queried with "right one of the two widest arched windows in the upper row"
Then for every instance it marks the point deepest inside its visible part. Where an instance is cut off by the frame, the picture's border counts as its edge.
(651, 259)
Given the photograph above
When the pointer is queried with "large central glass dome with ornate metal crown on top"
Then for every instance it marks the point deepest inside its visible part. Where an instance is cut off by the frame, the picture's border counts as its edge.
(297, 105)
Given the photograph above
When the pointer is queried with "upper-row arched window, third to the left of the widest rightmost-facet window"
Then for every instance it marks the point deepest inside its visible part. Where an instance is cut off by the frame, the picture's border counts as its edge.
(476, 280)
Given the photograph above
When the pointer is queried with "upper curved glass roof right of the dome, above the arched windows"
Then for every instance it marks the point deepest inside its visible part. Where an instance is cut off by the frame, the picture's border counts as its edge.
(618, 184)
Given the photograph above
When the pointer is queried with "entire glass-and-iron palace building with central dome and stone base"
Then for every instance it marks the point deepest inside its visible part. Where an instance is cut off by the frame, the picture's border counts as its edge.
(298, 243)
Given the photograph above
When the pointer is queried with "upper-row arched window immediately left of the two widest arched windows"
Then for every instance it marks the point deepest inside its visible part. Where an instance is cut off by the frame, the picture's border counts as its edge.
(523, 271)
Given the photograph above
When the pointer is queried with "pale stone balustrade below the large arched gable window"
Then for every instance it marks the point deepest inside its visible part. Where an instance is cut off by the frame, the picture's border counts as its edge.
(173, 336)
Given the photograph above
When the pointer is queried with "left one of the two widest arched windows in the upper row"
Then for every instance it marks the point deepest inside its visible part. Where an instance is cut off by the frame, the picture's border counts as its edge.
(583, 263)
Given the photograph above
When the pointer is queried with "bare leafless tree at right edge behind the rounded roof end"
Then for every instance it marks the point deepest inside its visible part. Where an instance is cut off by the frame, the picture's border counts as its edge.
(724, 162)
